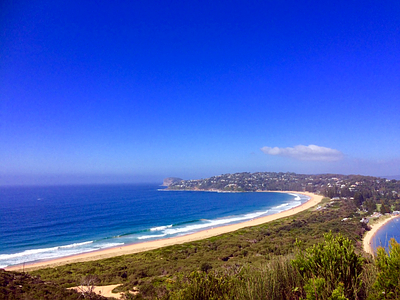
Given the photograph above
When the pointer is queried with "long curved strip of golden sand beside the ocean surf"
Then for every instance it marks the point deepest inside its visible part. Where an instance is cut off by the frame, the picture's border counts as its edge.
(145, 246)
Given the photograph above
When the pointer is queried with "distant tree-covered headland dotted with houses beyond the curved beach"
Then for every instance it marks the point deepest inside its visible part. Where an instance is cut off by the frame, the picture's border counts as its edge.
(330, 185)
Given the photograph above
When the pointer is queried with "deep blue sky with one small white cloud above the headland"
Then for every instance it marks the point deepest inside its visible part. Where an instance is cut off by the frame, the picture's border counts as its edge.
(134, 91)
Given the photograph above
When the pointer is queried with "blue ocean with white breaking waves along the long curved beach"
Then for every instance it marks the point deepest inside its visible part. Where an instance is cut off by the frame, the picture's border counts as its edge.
(41, 223)
